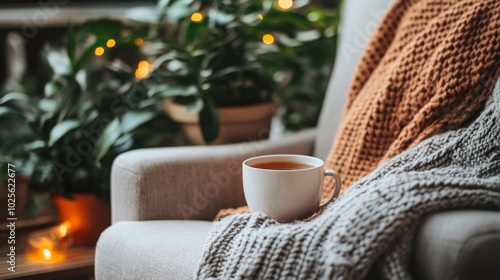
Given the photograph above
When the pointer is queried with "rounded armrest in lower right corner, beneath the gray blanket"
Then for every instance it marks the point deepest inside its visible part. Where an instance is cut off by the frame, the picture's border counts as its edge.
(463, 244)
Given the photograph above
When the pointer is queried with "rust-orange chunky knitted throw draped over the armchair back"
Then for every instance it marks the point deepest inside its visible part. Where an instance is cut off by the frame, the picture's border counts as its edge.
(429, 67)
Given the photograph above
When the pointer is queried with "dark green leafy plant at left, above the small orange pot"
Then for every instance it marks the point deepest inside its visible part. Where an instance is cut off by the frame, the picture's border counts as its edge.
(92, 109)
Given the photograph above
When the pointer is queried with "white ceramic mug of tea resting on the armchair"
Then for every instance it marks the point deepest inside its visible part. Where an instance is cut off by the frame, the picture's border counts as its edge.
(286, 195)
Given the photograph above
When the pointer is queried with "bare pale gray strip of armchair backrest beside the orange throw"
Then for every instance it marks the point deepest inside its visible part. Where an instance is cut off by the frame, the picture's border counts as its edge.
(359, 18)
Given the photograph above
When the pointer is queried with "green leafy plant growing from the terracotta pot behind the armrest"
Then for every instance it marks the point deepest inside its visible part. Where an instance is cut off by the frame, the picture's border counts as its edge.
(209, 55)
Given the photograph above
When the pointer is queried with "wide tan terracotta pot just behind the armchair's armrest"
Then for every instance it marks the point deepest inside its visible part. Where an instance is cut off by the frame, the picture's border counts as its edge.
(236, 124)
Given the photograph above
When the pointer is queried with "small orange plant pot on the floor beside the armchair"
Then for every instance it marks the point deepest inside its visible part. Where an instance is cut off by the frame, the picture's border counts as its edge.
(87, 214)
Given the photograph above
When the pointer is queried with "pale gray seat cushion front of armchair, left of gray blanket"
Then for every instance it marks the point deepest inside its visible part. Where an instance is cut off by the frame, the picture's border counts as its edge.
(150, 250)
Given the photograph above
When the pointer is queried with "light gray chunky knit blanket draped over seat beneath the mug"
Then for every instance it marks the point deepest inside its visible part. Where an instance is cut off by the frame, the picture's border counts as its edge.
(374, 222)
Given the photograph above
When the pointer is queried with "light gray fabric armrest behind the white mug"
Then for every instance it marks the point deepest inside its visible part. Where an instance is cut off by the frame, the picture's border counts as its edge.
(192, 182)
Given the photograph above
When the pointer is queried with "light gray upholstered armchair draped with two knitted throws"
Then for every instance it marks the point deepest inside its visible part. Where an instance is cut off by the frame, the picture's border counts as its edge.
(163, 199)
